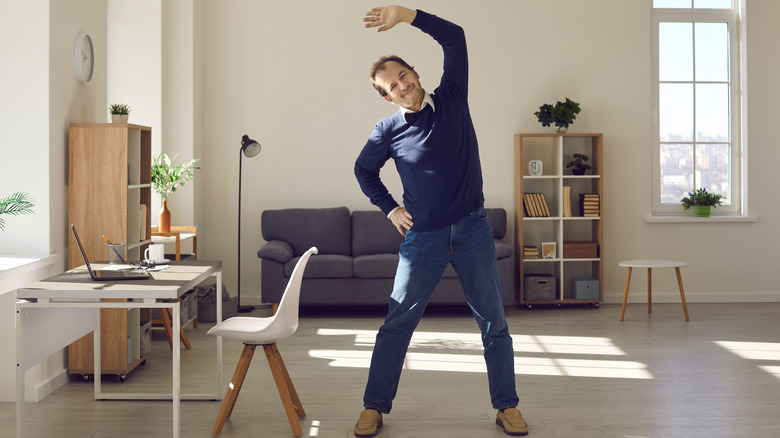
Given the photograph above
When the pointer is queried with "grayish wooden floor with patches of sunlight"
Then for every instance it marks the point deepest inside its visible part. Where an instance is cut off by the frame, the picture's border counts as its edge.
(580, 373)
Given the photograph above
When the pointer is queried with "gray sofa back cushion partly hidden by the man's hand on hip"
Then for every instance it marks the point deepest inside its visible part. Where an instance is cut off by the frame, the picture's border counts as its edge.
(373, 233)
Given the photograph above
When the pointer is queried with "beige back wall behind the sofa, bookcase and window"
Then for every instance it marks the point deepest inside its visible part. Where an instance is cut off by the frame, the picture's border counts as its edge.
(293, 75)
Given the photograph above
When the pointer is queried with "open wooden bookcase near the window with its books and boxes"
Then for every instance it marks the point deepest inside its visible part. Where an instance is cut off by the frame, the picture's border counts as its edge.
(573, 237)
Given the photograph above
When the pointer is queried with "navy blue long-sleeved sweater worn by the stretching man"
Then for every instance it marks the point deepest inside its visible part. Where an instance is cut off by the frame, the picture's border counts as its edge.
(436, 152)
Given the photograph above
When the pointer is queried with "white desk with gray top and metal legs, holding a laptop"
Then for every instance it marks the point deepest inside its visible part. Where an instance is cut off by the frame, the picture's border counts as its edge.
(61, 309)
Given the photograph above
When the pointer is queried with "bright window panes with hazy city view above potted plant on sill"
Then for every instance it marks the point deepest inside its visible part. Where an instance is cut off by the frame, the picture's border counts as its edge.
(694, 97)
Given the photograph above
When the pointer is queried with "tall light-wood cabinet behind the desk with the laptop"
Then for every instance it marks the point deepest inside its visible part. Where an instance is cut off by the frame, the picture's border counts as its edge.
(109, 195)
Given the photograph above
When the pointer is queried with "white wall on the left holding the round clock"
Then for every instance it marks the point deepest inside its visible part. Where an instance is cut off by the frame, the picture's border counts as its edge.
(41, 97)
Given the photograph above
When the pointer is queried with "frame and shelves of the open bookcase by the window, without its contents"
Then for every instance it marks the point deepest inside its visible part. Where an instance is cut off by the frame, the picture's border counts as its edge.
(555, 150)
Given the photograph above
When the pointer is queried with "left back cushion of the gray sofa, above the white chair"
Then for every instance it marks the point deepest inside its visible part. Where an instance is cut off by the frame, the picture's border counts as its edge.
(326, 228)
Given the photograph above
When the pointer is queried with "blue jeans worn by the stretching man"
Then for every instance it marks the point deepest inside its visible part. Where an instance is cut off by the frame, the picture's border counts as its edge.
(469, 246)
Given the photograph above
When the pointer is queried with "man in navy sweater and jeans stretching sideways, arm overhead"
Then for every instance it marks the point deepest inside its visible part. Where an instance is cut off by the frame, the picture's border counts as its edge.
(434, 146)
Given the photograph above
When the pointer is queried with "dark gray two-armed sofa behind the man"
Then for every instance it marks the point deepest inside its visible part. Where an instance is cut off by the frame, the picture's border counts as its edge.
(358, 256)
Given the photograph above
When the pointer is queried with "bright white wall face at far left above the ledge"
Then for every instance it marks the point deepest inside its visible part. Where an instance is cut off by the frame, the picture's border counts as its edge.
(24, 122)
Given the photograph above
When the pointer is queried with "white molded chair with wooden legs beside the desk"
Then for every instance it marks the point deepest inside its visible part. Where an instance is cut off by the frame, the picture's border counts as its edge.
(266, 332)
